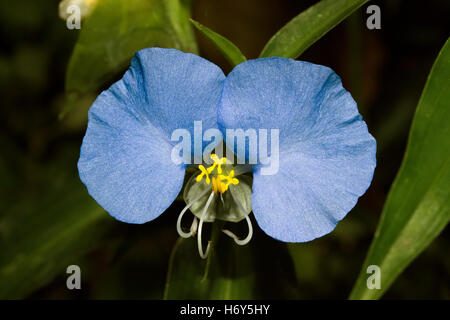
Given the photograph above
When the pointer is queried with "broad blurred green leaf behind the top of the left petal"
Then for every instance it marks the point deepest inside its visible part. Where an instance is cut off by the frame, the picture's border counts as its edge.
(116, 29)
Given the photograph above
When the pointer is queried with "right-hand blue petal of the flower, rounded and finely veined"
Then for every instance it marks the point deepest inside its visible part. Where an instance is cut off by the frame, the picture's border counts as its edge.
(327, 156)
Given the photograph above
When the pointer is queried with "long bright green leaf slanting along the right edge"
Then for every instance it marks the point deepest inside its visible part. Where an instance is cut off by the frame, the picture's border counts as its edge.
(418, 205)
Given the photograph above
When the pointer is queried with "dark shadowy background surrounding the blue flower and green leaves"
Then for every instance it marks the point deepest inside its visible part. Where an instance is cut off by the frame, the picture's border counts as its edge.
(385, 70)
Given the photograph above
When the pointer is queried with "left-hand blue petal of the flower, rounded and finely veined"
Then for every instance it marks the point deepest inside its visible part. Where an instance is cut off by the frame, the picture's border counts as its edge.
(125, 159)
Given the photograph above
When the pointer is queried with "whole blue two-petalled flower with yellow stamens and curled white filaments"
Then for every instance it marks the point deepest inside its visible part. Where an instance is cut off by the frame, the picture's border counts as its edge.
(326, 154)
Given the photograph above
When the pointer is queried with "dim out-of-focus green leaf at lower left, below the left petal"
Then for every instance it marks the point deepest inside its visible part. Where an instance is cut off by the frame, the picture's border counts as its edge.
(50, 226)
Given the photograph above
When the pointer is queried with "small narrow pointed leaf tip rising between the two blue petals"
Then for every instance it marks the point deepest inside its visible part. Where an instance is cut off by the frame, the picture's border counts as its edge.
(228, 49)
